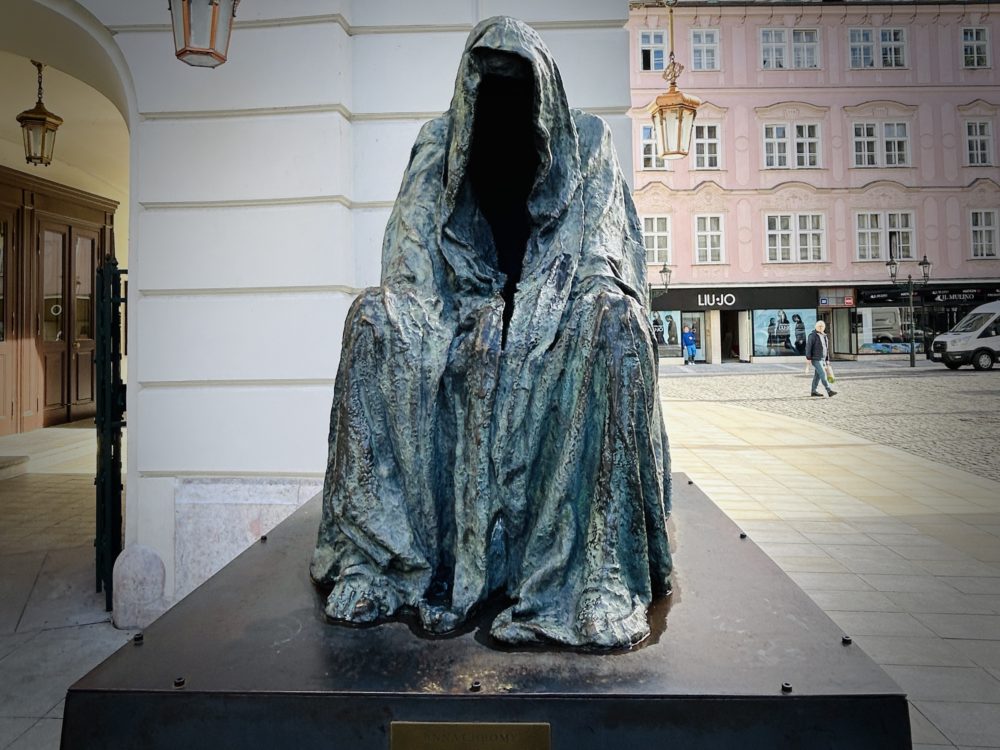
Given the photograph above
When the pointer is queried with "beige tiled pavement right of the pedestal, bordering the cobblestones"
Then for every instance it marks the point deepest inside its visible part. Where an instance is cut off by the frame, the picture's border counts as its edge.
(903, 553)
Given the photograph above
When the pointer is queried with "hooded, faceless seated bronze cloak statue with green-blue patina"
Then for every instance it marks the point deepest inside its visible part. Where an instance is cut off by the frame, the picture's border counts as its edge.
(496, 427)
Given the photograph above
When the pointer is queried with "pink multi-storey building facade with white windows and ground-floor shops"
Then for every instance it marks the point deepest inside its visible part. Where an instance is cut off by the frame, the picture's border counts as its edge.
(832, 134)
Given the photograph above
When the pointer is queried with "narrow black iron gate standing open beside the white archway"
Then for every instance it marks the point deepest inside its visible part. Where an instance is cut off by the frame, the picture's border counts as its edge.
(110, 421)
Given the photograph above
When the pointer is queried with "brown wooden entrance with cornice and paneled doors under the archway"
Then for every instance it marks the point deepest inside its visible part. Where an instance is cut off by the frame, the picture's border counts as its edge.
(51, 241)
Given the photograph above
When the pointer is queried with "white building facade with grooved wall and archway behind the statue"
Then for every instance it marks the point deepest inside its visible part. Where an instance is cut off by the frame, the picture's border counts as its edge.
(251, 215)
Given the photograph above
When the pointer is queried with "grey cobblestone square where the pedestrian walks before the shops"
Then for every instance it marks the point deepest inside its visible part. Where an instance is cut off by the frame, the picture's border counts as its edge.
(948, 416)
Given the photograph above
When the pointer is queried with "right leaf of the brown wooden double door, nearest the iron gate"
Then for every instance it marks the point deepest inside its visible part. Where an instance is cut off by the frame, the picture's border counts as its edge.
(82, 268)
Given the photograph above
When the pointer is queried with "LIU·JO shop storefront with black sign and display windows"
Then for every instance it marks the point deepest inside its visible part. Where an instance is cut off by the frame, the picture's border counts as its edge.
(737, 323)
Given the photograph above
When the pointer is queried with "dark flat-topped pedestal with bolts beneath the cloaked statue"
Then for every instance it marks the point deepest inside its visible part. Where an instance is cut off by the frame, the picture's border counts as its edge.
(262, 669)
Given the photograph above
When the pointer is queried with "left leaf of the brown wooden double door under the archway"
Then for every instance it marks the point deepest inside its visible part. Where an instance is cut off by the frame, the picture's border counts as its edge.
(53, 321)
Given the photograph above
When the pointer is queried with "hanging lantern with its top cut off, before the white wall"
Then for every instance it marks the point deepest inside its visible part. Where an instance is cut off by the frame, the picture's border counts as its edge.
(202, 29)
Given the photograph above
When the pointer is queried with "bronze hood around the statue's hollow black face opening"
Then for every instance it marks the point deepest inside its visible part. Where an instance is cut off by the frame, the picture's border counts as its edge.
(555, 132)
